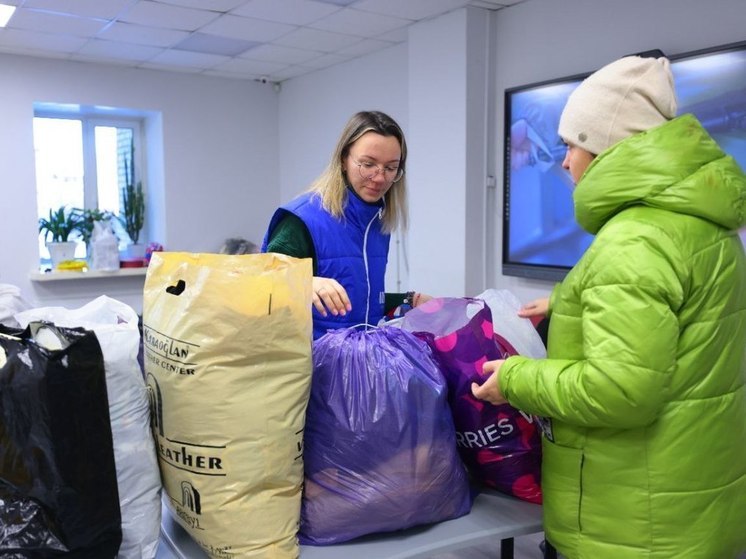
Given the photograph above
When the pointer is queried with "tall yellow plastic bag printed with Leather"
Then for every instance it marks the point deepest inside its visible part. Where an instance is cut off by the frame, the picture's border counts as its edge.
(228, 360)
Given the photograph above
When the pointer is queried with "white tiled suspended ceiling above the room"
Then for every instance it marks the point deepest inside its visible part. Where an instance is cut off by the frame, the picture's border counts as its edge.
(265, 40)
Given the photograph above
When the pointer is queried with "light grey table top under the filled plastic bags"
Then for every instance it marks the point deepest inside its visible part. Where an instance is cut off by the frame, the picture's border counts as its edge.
(493, 516)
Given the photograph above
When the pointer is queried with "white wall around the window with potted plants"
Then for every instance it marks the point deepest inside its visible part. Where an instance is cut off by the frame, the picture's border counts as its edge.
(220, 161)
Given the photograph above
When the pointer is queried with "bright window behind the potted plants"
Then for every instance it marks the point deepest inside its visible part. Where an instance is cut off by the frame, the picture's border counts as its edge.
(84, 160)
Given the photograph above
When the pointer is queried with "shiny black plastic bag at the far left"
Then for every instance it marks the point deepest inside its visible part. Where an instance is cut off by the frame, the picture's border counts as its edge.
(58, 484)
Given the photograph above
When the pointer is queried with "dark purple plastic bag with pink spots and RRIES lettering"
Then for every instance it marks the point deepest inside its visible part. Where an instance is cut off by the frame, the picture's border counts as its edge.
(500, 445)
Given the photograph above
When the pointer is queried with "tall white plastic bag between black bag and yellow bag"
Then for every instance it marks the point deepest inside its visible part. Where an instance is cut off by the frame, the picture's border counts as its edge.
(116, 327)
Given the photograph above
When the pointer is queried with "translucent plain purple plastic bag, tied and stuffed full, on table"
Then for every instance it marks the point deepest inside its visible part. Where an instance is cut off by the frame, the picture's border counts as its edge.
(379, 445)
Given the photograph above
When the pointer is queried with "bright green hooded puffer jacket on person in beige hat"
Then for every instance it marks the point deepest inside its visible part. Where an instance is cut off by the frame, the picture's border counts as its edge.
(644, 380)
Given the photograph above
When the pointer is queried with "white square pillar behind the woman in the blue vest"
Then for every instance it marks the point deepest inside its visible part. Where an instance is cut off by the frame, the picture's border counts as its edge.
(448, 129)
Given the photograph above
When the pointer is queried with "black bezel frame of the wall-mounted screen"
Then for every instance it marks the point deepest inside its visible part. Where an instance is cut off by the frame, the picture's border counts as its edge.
(552, 272)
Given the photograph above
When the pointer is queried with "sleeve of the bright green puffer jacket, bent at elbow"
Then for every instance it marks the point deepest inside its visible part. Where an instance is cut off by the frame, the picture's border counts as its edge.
(612, 340)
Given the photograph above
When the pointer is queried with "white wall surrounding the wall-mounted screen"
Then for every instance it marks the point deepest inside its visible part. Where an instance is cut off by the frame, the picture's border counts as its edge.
(539, 40)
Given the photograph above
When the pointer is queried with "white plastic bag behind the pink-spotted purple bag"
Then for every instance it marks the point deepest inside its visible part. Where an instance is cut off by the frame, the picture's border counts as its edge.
(519, 332)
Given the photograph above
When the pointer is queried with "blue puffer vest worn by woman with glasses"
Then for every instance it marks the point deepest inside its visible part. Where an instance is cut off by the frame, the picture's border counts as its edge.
(352, 250)
